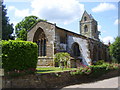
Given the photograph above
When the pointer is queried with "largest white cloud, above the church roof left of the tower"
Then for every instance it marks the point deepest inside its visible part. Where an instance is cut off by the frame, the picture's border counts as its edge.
(64, 11)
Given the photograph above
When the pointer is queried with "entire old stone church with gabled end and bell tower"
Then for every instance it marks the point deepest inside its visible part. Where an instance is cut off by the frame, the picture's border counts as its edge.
(84, 48)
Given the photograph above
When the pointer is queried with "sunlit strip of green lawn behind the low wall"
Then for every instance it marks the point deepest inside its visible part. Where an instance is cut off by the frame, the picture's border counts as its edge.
(52, 69)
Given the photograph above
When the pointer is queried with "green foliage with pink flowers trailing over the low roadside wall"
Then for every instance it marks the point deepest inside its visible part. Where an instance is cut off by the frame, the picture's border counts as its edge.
(95, 70)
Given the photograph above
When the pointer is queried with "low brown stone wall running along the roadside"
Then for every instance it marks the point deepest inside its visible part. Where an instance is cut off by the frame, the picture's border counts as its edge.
(50, 80)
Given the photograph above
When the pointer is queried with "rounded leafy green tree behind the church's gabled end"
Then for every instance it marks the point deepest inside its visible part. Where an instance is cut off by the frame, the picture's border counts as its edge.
(22, 27)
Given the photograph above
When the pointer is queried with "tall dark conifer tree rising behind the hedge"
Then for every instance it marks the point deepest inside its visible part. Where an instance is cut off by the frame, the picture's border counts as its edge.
(7, 28)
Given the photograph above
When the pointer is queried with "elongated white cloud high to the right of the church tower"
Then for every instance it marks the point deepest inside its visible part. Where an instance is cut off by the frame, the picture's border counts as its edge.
(104, 7)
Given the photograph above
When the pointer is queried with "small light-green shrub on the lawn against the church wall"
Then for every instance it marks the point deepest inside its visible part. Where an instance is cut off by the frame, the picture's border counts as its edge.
(62, 59)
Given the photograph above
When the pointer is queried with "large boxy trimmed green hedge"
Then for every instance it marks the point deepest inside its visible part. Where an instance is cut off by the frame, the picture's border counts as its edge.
(19, 55)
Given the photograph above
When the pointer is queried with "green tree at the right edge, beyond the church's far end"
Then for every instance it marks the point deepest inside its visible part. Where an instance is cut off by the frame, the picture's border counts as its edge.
(115, 49)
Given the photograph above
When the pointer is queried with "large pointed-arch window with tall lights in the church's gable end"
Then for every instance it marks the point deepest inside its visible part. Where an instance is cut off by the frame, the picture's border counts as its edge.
(40, 39)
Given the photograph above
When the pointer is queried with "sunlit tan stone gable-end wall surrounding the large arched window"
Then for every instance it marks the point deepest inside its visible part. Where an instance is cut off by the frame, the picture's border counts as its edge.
(49, 31)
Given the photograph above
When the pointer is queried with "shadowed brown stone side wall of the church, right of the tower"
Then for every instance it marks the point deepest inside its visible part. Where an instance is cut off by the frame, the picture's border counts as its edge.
(98, 51)
